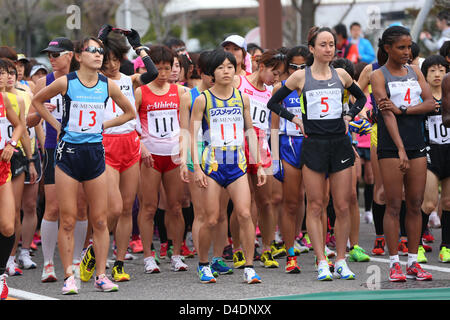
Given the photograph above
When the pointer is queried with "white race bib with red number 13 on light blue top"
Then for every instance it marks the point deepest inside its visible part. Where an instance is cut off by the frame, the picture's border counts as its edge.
(86, 117)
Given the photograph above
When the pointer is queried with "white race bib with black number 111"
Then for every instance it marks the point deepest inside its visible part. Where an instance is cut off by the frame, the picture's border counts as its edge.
(163, 123)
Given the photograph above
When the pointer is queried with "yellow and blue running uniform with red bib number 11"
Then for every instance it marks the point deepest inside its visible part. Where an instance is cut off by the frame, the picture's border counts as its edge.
(223, 158)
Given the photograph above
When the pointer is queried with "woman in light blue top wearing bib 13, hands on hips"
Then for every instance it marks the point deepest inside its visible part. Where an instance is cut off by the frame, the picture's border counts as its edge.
(79, 156)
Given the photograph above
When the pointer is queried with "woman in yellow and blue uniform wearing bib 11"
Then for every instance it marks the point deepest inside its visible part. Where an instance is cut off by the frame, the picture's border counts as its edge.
(223, 113)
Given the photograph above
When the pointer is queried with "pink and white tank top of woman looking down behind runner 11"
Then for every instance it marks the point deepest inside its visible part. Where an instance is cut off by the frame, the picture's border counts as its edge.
(258, 103)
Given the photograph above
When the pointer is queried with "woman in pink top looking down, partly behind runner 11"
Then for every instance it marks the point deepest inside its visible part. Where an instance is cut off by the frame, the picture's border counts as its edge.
(270, 66)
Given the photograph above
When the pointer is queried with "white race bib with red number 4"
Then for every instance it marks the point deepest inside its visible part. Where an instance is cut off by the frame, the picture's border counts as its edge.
(405, 93)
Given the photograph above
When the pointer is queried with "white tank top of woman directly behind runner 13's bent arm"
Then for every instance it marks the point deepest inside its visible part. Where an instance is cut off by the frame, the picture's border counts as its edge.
(112, 110)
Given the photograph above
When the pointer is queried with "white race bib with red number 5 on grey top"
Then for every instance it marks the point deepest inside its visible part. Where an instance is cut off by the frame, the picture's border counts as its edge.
(324, 104)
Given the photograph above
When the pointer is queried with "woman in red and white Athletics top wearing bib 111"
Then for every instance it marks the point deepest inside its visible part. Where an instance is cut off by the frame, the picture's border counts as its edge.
(157, 104)
